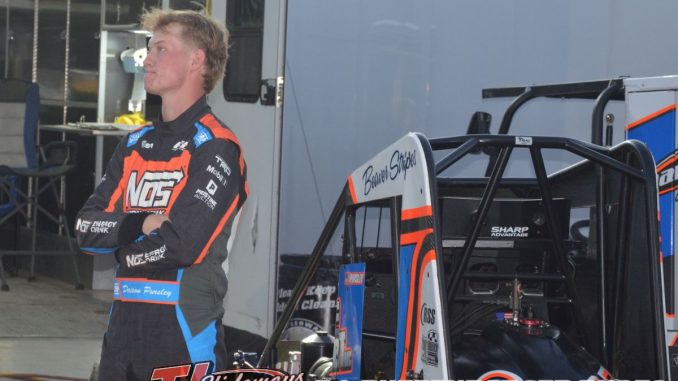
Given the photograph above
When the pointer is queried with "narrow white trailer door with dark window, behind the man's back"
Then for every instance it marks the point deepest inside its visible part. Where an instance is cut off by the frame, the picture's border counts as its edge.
(249, 102)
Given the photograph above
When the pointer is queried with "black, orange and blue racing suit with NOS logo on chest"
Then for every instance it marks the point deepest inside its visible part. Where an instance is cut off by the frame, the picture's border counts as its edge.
(169, 285)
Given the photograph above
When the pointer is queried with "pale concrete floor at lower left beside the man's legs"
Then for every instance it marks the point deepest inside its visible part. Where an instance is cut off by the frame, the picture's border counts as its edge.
(48, 328)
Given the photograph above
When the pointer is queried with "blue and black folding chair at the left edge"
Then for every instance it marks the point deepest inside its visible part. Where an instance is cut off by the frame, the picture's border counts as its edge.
(23, 161)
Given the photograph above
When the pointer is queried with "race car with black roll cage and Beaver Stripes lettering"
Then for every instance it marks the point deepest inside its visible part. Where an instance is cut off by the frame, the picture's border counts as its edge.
(542, 274)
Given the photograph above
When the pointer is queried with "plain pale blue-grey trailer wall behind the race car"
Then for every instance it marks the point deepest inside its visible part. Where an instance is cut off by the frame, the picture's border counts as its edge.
(360, 74)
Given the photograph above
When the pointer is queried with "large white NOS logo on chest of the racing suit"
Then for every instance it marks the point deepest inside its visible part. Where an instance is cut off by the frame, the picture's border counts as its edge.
(153, 190)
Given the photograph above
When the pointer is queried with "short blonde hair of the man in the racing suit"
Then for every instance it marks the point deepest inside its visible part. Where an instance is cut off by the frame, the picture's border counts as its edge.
(201, 31)
